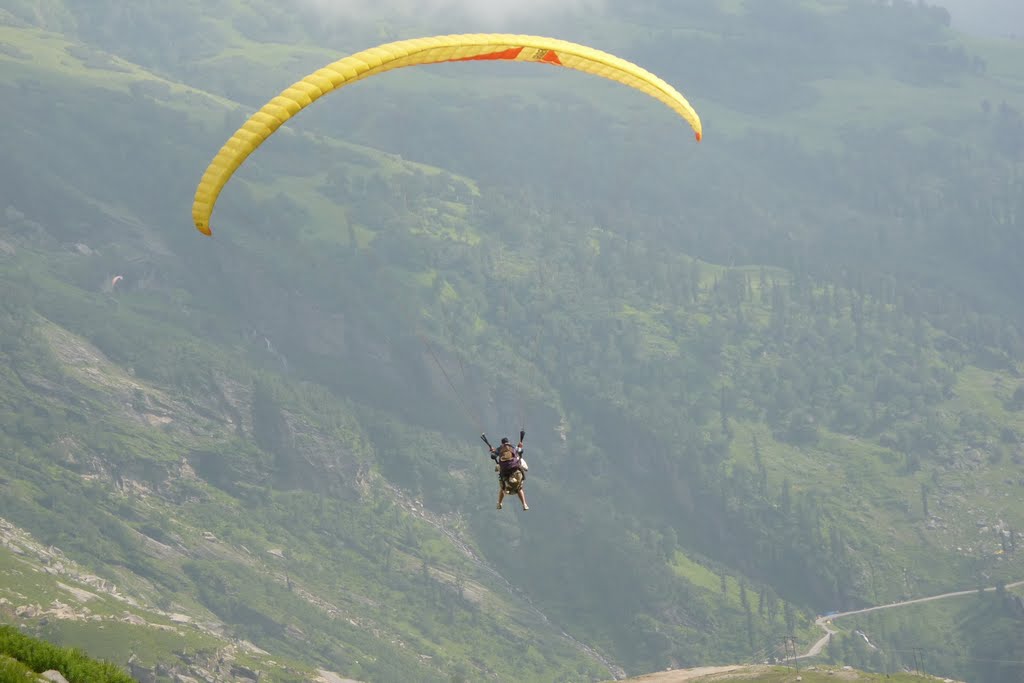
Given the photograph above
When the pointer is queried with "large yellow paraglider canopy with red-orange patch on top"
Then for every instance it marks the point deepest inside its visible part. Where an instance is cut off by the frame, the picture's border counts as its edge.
(468, 48)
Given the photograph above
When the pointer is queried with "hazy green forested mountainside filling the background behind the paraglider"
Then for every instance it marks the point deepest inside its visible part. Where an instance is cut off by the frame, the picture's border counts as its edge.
(764, 377)
